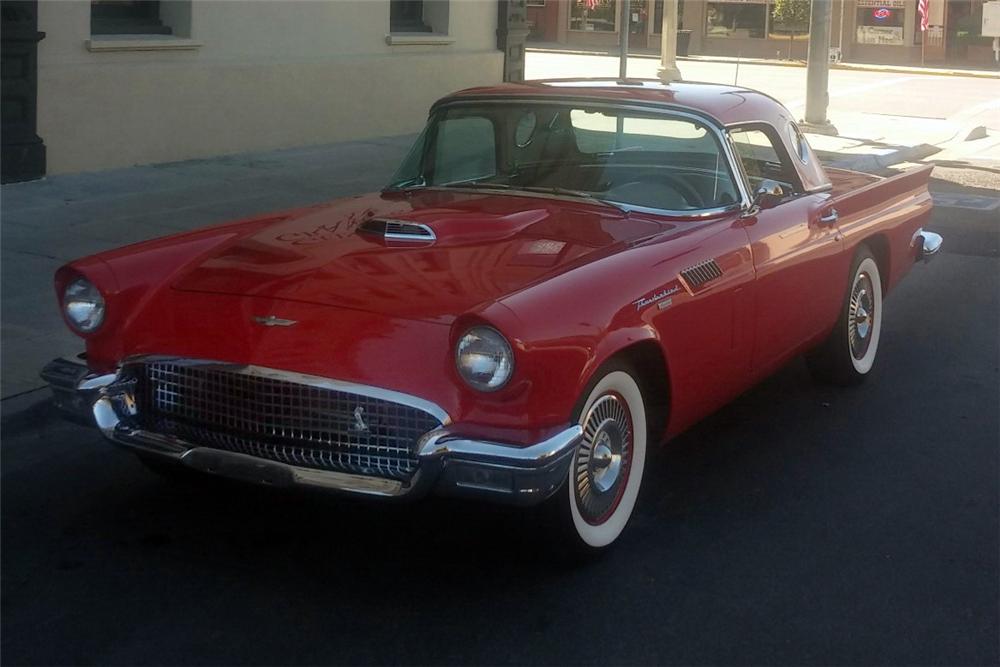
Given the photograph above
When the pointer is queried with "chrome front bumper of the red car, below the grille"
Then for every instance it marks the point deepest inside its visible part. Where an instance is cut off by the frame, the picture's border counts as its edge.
(449, 464)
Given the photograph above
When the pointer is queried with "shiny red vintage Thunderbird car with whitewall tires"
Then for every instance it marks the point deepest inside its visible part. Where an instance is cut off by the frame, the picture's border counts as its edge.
(558, 275)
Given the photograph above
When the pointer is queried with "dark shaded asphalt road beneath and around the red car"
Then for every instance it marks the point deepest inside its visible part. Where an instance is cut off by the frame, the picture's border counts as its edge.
(800, 525)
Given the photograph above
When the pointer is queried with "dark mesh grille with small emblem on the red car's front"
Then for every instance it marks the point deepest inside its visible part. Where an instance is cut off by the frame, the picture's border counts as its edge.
(216, 406)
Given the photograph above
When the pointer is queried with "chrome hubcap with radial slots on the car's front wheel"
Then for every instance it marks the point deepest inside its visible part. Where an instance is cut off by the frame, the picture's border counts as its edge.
(602, 461)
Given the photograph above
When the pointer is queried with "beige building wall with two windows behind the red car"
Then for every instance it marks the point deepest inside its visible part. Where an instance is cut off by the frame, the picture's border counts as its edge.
(121, 83)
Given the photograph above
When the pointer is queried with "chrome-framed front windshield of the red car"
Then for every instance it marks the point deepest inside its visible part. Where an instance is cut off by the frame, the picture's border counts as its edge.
(622, 157)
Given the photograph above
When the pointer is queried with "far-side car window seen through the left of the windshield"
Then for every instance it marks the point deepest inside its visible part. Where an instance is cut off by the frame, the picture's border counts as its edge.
(465, 150)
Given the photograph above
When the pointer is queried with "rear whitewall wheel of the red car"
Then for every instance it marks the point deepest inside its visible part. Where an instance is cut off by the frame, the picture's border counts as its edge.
(848, 355)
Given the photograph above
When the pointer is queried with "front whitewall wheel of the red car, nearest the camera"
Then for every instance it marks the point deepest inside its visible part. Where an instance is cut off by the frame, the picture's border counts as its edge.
(606, 472)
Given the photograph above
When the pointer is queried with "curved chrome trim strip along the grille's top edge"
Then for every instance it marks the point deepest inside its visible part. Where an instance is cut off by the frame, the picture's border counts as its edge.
(301, 378)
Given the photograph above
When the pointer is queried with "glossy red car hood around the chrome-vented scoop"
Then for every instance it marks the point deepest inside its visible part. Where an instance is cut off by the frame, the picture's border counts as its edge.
(485, 247)
